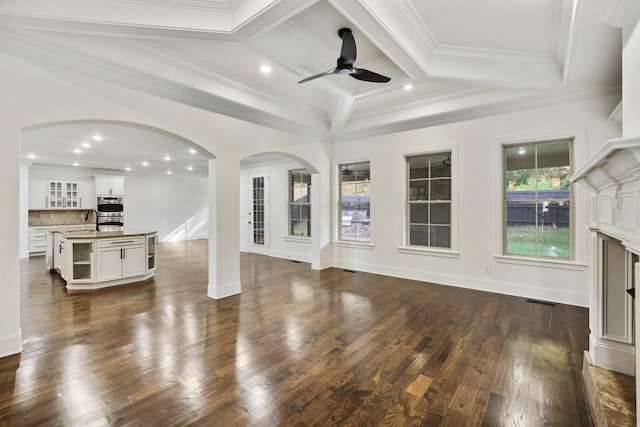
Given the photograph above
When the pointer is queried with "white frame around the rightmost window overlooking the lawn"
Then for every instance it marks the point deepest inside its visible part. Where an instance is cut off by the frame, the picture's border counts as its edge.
(502, 255)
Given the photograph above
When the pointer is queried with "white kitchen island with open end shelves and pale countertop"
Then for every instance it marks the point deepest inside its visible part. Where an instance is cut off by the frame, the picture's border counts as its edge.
(89, 259)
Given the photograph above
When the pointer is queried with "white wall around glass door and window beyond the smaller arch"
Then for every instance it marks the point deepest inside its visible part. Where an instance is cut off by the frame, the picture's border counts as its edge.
(280, 244)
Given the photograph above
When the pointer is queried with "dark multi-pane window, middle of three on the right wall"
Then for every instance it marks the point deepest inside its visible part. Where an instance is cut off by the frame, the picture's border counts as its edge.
(429, 200)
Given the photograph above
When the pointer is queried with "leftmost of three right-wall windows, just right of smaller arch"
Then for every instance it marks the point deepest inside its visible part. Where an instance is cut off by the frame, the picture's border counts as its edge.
(355, 202)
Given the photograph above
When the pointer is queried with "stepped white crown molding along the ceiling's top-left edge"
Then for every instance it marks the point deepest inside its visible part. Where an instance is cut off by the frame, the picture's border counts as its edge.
(141, 17)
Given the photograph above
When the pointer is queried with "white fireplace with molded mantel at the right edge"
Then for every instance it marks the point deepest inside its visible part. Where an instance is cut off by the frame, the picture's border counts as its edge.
(612, 176)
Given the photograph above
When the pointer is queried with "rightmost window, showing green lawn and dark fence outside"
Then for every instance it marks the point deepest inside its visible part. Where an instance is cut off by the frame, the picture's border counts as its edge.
(537, 200)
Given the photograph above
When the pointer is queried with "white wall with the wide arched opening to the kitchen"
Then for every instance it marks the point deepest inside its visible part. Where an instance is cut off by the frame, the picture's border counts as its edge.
(39, 97)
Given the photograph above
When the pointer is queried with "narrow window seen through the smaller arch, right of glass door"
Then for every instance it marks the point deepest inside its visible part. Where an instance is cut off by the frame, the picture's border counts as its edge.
(299, 203)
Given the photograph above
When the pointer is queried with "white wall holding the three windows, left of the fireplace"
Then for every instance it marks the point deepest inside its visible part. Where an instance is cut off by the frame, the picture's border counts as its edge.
(479, 199)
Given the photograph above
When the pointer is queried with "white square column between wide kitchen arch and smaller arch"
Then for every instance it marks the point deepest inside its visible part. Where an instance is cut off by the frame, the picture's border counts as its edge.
(224, 223)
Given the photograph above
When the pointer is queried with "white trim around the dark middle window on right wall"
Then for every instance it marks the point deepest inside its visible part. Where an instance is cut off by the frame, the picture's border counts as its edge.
(455, 219)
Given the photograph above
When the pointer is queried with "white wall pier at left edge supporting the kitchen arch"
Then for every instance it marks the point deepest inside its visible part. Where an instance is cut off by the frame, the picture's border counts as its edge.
(10, 334)
